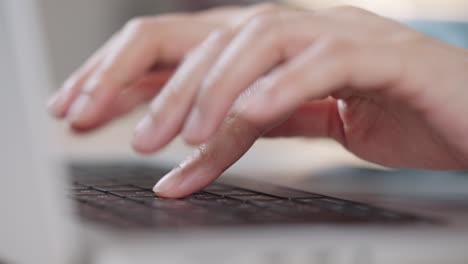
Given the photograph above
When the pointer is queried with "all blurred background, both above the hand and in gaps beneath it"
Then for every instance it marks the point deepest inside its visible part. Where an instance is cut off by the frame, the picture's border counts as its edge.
(76, 28)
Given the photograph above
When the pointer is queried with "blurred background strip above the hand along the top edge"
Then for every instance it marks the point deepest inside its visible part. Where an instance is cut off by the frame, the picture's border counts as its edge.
(76, 28)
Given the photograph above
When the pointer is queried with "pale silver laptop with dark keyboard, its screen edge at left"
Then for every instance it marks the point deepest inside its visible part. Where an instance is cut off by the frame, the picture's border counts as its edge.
(59, 211)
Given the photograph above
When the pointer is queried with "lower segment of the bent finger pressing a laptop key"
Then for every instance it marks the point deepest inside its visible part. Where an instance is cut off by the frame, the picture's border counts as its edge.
(210, 160)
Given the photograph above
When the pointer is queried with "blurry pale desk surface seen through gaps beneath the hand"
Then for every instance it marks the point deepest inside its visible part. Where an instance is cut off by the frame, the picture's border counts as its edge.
(282, 160)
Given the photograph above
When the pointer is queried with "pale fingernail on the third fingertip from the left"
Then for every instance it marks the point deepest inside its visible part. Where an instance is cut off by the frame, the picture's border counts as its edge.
(145, 133)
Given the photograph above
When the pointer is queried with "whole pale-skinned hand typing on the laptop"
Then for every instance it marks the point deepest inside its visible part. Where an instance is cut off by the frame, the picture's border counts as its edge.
(225, 77)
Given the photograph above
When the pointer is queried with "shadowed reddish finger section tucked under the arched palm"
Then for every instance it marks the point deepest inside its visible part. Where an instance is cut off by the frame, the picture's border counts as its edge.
(313, 119)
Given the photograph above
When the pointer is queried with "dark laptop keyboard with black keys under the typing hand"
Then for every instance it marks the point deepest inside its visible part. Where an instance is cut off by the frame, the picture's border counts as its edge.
(122, 196)
